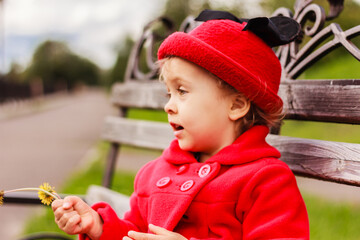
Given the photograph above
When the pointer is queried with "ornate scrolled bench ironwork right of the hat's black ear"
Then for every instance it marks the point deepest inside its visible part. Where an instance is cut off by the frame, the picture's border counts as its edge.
(312, 17)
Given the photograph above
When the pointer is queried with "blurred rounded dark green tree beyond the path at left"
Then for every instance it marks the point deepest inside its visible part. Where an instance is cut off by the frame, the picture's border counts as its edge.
(59, 68)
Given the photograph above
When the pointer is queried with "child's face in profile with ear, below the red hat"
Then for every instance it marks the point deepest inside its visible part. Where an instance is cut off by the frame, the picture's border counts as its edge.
(198, 109)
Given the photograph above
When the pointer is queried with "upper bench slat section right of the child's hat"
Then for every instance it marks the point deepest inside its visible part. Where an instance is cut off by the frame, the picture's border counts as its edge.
(322, 100)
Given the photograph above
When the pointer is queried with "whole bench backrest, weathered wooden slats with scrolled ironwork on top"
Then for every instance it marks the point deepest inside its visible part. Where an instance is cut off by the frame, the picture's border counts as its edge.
(314, 100)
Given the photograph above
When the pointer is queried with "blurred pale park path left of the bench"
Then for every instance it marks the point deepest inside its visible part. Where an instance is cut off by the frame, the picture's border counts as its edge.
(44, 140)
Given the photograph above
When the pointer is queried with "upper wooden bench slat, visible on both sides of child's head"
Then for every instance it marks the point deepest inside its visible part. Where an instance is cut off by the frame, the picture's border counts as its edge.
(316, 100)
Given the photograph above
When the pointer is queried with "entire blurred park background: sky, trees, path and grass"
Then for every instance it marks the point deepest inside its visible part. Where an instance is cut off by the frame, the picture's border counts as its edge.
(58, 61)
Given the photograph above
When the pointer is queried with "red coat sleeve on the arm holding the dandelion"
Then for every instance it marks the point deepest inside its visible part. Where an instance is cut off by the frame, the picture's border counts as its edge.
(115, 228)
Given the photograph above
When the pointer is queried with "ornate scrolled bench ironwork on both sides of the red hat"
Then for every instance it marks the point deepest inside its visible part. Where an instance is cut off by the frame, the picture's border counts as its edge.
(295, 57)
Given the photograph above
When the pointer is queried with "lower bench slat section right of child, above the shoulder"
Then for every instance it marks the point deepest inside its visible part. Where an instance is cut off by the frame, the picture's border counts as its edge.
(325, 160)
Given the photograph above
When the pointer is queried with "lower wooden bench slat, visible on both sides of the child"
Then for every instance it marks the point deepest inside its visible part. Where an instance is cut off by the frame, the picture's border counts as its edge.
(333, 161)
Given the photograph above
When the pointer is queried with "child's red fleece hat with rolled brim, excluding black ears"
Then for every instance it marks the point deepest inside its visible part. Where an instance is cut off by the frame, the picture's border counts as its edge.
(240, 58)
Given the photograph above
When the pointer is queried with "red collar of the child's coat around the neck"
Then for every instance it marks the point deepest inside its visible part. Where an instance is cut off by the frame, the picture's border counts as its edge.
(248, 147)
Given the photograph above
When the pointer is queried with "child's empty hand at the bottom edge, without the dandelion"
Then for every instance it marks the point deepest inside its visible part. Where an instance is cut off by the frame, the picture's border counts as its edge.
(158, 234)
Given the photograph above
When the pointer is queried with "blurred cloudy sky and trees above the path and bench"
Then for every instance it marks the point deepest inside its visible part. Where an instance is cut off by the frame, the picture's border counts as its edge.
(51, 45)
